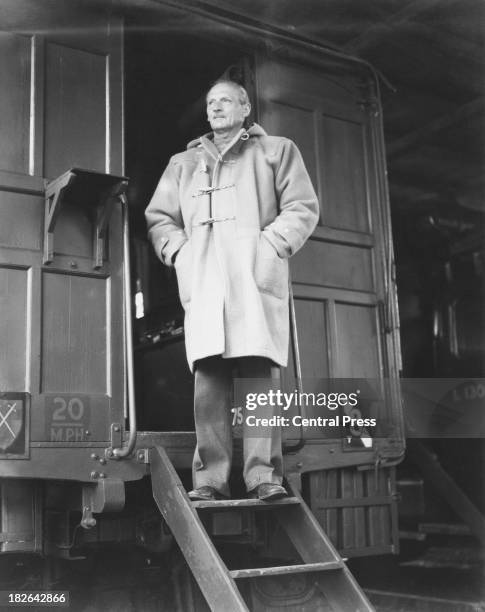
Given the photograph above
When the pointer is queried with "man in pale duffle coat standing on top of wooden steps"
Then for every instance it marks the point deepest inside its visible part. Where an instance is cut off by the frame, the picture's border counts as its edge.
(228, 213)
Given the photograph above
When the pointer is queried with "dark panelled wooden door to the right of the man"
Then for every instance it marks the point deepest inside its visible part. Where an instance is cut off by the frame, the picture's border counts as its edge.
(340, 276)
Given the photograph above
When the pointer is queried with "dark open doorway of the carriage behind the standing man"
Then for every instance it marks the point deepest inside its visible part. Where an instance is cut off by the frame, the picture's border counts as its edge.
(166, 76)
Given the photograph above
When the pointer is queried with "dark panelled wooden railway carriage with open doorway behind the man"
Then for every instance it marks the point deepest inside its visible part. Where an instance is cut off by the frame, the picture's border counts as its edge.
(95, 93)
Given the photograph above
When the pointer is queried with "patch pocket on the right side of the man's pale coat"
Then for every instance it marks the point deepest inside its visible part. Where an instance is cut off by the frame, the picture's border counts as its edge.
(271, 271)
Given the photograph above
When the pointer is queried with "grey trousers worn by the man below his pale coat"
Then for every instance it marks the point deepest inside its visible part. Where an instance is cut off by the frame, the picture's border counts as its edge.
(213, 400)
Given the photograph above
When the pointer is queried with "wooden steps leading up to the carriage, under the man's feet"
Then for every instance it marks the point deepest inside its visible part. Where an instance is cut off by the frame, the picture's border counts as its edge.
(219, 584)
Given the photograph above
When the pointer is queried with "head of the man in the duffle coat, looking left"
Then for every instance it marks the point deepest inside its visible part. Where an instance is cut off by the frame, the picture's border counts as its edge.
(224, 110)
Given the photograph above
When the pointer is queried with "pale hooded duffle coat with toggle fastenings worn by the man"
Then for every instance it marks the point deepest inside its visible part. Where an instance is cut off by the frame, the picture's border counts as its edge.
(233, 219)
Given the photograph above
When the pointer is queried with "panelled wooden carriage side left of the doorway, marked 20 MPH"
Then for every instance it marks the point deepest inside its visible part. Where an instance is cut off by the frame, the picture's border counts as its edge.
(61, 336)
